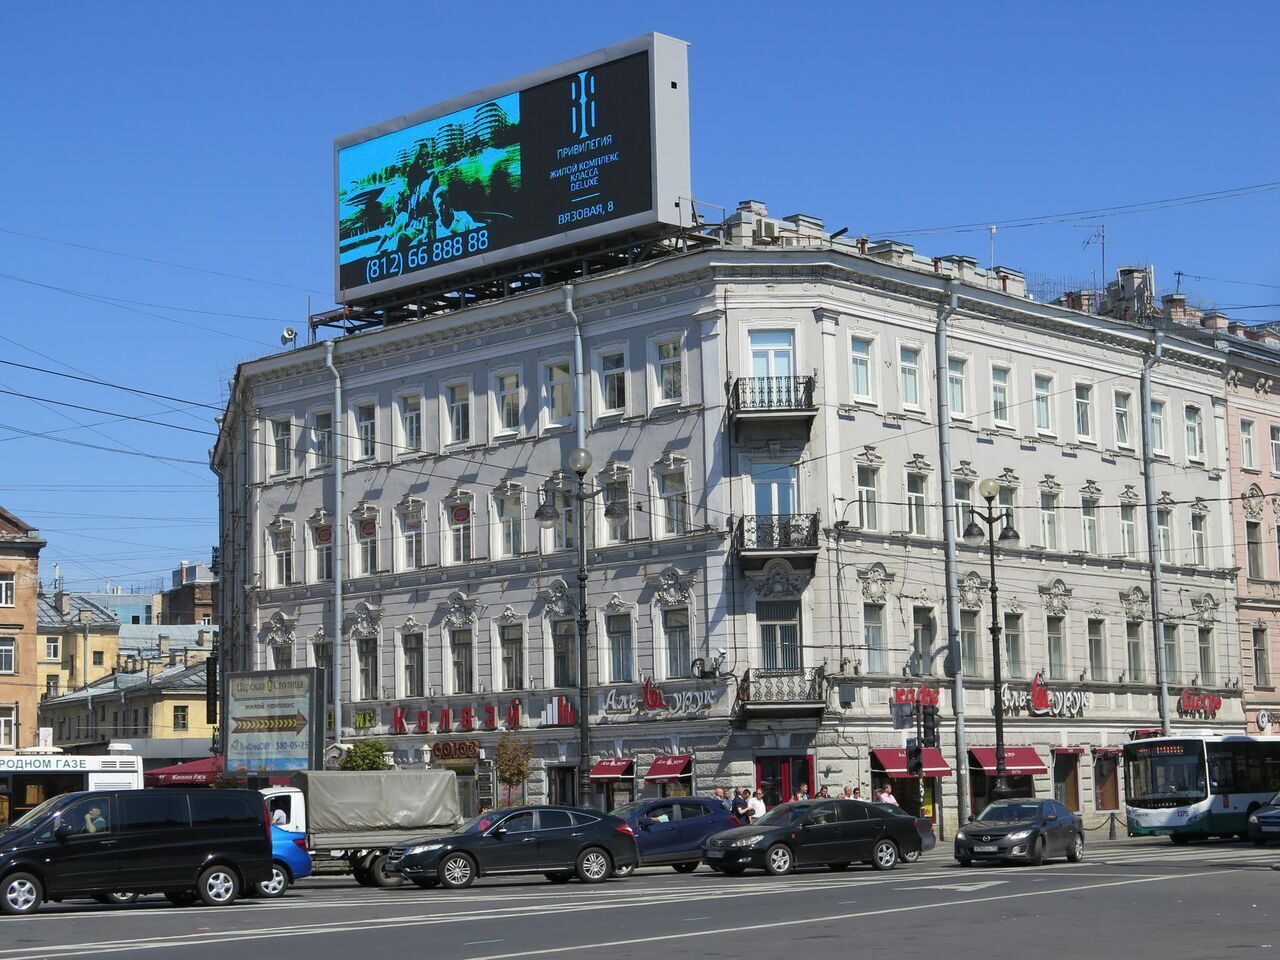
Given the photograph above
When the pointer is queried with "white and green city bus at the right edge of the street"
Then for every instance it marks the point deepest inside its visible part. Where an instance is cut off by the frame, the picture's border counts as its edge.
(1194, 788)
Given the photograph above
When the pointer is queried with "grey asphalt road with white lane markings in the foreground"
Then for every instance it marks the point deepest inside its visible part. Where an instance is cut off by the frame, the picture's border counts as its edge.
(1130, 899)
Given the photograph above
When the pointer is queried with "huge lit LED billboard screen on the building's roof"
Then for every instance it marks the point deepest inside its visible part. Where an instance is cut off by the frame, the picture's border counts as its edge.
(589, 149)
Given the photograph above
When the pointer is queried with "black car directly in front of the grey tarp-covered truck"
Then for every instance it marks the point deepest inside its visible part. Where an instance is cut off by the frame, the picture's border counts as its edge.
(557, 842)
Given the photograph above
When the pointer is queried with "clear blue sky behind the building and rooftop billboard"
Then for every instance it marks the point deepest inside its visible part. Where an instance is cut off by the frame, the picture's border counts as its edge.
(196, 139)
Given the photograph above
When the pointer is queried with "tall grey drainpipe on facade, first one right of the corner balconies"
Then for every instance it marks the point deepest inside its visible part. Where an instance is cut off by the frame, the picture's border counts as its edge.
(950, 560)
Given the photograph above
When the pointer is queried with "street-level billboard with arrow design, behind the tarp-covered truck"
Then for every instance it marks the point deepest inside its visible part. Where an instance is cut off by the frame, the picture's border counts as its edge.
(275, 721)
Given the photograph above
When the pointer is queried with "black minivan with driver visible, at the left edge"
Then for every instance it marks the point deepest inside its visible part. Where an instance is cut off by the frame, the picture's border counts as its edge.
(185, 844)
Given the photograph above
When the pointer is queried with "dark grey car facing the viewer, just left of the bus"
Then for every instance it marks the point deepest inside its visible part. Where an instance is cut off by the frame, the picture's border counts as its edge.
(1022, 831)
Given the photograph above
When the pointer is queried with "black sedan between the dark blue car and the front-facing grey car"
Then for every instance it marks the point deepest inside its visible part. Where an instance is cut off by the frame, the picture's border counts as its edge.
(811, 833)
